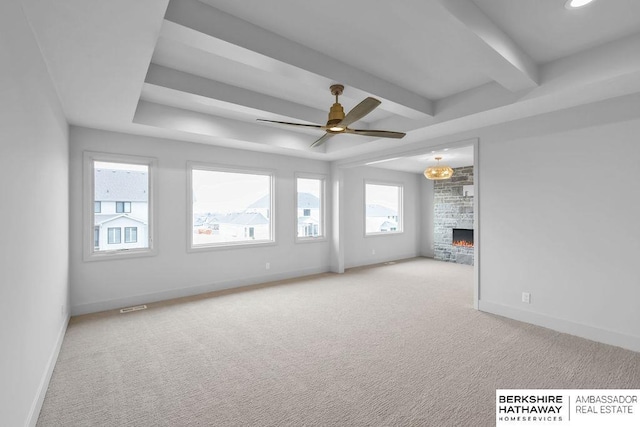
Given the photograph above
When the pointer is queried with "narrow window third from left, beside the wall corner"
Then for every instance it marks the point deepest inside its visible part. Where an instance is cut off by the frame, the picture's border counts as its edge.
(310, 207)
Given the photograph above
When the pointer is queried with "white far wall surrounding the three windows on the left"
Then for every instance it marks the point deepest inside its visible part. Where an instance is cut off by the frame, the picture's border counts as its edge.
(100, 285)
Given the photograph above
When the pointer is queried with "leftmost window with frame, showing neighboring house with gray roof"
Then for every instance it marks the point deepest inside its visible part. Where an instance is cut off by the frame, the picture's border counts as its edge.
(115, 185)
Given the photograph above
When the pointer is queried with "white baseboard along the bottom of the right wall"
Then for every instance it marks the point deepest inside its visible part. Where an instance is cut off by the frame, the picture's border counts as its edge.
(593, 333)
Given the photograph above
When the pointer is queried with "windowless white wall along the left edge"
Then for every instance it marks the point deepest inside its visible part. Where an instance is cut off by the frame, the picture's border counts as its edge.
(34, 217)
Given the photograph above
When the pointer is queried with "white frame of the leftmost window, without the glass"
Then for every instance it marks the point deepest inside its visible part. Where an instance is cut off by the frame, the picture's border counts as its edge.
(89, 254)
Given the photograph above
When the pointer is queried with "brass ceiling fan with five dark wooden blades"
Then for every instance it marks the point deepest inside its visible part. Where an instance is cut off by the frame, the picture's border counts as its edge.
(339, 122)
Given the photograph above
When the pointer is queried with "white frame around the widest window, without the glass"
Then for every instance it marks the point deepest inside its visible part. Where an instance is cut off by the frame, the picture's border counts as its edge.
(191, 166)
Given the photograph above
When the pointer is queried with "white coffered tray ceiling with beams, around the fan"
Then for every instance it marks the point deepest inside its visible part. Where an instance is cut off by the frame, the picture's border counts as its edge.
(205, 70)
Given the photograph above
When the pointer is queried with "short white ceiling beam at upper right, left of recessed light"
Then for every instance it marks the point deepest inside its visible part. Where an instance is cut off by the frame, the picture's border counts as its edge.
(507, 64)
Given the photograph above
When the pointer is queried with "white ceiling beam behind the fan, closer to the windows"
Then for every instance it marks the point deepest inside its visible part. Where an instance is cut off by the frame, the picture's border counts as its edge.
(234, 98)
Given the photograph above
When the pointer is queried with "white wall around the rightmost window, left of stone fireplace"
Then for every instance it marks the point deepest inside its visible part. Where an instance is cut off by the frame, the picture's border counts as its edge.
(358, 249)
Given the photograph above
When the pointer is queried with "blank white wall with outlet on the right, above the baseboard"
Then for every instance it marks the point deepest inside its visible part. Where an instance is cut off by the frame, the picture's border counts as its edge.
(559, 218)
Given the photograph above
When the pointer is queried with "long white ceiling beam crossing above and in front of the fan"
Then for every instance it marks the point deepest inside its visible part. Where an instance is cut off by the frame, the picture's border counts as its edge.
(274, 51)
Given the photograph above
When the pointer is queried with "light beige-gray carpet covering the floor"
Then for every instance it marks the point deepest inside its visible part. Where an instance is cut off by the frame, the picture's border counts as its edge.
(391, 345)
